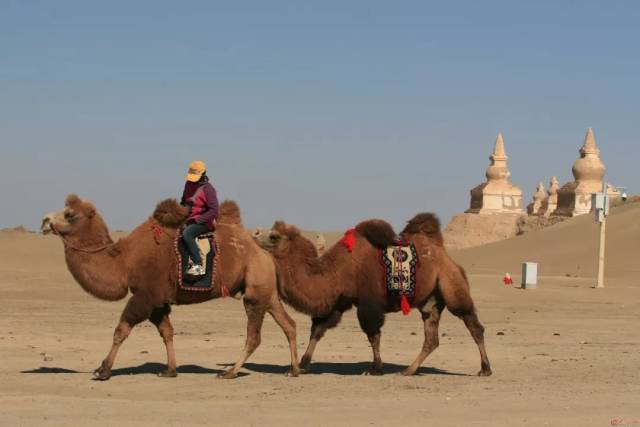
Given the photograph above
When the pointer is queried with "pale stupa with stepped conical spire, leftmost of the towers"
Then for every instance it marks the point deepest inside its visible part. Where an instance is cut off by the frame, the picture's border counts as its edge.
(497, 195)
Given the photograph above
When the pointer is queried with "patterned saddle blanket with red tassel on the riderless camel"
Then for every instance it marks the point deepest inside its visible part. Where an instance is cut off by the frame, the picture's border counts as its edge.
(400, 265)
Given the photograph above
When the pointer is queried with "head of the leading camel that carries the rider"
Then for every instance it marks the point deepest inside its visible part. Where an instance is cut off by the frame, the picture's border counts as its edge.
(77, 215)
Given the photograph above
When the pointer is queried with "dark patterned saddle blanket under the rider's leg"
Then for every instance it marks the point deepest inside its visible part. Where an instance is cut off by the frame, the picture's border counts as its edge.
(209, 251)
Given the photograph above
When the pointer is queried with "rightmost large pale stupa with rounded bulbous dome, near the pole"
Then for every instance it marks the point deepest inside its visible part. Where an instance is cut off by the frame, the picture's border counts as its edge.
(574, 198)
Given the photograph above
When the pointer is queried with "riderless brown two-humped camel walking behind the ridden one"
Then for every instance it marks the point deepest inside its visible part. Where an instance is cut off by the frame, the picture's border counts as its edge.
(324, 287)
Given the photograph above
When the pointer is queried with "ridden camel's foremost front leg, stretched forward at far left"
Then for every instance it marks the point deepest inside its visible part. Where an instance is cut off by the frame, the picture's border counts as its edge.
(137, 310)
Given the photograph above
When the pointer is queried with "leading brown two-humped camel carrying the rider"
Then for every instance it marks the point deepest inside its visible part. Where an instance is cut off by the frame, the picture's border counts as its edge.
(145, 263)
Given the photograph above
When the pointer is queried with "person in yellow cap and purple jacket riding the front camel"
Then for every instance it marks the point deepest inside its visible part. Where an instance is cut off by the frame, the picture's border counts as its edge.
(202, 200)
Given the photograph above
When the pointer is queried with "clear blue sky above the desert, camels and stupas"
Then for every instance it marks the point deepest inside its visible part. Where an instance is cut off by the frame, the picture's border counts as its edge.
(321, 113)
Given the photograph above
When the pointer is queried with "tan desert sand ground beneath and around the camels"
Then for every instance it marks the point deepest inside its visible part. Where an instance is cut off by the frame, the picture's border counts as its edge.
(565, 354)
